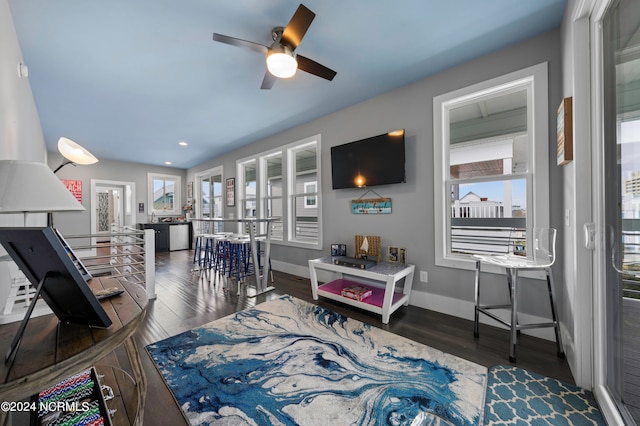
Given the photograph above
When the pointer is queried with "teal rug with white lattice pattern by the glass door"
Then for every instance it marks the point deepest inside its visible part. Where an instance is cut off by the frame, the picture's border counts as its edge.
(520, 397)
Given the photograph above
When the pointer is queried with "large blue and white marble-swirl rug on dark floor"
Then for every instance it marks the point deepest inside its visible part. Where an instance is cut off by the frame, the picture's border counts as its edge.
(288, 362)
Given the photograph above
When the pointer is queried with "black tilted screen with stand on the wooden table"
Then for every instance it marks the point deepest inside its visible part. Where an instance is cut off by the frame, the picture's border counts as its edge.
(49, 265)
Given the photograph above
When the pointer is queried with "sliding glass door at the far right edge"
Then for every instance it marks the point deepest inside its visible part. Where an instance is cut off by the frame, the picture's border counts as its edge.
(621, 131)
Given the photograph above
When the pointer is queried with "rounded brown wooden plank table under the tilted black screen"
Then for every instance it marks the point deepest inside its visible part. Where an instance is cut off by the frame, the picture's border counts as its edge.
(51, 351)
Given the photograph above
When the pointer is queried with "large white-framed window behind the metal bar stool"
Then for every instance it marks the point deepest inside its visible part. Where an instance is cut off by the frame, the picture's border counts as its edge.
(490, 166)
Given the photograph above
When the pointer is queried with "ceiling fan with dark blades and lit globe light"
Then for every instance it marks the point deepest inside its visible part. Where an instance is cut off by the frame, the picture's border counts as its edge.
(281, 61)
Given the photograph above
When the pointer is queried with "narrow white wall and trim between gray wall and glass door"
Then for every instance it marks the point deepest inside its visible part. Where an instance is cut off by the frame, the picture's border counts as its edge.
(577, 300)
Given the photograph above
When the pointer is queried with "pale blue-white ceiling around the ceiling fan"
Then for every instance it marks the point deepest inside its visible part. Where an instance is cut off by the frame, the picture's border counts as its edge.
(129, 79)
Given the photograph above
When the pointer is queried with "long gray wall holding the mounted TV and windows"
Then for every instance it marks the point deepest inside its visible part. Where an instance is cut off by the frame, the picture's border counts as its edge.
(411, 223)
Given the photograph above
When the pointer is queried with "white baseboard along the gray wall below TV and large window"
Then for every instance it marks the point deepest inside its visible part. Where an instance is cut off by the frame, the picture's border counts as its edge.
(446, 305)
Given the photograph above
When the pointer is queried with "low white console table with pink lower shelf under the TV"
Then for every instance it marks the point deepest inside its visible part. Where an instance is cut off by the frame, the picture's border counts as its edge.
(385, 299)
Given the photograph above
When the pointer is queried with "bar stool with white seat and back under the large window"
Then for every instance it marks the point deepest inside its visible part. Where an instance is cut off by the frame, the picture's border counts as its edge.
(540, 256)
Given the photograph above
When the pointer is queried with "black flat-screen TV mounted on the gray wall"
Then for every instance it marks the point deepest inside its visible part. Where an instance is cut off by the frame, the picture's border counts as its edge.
(378, 160)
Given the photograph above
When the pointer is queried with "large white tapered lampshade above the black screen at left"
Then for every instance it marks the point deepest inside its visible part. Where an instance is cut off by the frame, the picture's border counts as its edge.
(32, 187)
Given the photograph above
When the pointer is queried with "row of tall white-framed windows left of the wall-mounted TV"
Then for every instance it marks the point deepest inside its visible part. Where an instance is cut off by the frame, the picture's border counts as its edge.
(283, 184)
